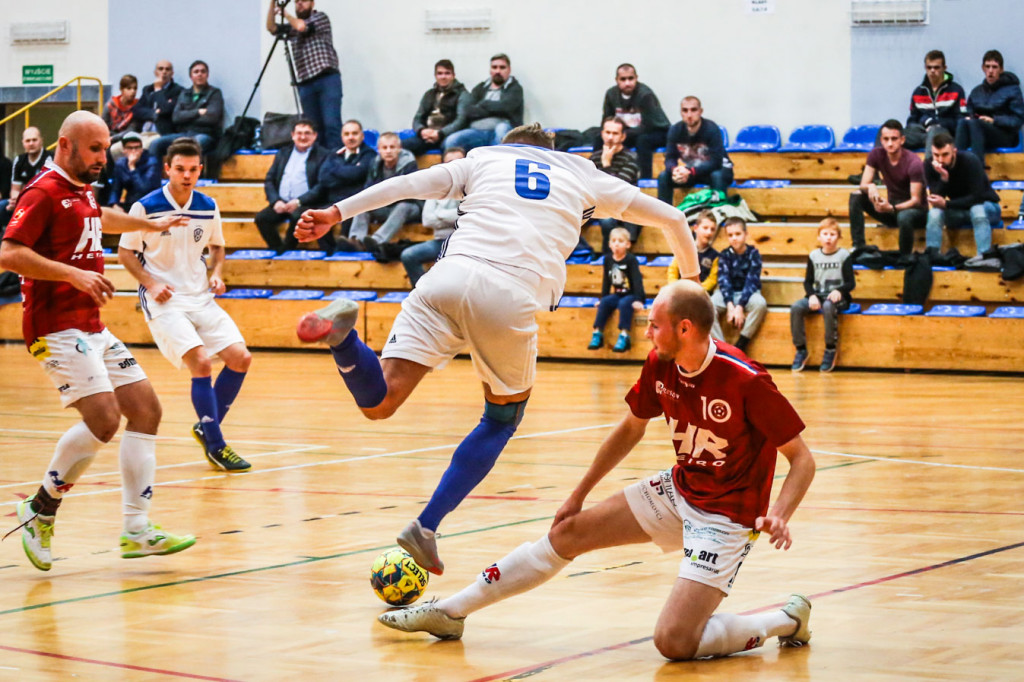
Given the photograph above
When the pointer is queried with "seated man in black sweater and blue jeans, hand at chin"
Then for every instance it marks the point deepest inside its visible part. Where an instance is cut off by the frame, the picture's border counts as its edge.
(959, 193)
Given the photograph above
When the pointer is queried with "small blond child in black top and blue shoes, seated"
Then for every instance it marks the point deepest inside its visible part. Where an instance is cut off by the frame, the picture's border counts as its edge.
(622, 288)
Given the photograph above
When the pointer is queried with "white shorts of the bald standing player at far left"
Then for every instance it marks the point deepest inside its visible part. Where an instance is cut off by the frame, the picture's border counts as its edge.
(80, 364)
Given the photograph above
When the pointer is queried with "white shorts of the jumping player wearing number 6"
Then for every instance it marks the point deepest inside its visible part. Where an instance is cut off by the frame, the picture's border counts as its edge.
(460, 304)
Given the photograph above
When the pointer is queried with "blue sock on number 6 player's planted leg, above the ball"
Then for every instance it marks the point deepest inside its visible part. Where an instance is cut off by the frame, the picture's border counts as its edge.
(475, 457)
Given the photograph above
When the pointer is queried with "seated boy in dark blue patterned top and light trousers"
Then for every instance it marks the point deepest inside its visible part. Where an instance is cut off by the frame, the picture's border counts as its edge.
(739, 293)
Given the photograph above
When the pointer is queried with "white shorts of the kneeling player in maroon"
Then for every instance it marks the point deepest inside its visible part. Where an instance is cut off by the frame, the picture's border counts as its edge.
(714, 547)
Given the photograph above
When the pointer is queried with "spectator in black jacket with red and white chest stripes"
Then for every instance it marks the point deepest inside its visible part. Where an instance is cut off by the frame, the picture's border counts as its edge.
(937, 105)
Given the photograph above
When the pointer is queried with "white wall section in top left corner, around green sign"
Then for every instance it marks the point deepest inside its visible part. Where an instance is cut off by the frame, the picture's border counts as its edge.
(84, 56)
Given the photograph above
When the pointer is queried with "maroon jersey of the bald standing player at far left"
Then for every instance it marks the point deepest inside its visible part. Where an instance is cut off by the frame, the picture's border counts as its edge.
(60, 221)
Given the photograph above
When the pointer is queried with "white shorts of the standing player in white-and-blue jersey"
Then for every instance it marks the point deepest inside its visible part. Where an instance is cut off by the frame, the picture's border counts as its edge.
(178, 332)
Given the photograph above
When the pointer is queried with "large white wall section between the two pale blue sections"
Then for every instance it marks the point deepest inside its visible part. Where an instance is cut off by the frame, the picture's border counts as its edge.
(788, 69)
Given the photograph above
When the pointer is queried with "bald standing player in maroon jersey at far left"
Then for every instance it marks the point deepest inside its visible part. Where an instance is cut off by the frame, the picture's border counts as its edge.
(54, 242)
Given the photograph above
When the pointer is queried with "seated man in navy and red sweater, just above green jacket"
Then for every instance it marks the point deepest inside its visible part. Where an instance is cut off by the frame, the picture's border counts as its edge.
(695, 154)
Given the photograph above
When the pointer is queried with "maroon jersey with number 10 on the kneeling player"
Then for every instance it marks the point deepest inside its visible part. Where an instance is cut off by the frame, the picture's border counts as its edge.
(728, 421)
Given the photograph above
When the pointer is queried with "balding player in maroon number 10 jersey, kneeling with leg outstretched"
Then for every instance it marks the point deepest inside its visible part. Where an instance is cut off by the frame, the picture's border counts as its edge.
(730, 423)
